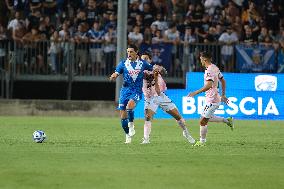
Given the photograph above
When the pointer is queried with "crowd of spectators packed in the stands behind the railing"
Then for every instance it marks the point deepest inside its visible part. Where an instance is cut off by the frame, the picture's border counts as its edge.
(91, 26)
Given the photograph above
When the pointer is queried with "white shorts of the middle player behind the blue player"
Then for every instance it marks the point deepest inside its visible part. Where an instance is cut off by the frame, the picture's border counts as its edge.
(162, 101)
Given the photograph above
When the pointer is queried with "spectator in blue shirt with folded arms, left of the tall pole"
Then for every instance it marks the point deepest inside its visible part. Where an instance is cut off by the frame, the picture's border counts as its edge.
(96, 40)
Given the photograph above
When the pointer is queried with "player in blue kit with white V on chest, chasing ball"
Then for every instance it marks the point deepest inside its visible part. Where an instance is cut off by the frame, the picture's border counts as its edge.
(132, 70)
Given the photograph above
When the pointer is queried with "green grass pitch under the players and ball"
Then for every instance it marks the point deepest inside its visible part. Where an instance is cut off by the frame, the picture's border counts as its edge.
(90, 153)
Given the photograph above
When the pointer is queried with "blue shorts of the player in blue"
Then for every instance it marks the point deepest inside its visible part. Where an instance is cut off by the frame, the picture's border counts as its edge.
(127, 94)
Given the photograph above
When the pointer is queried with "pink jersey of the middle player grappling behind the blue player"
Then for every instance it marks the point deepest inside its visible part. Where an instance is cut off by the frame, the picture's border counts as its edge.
(149, 86)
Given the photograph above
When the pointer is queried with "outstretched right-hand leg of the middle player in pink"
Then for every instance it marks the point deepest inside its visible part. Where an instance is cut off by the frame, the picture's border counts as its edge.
(181, 122)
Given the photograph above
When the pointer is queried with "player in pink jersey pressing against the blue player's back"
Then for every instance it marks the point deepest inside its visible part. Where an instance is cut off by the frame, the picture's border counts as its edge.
(154, 88)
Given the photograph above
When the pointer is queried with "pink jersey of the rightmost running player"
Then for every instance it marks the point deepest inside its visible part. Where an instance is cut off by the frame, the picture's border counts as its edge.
(212, 73)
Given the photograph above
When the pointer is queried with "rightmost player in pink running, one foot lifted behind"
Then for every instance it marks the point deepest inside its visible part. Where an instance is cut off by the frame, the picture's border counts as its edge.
(211, 77)
